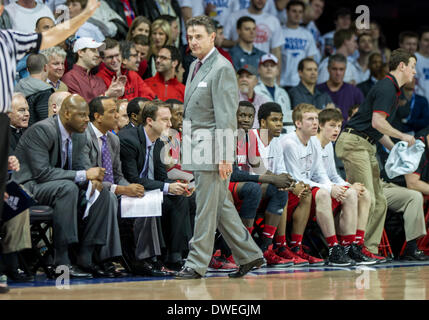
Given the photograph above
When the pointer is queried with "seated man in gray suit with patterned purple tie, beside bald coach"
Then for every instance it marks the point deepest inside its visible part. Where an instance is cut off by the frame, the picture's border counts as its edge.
(102, 149)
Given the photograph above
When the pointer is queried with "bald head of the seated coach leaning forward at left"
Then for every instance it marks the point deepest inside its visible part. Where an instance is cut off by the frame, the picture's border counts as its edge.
(74, 113)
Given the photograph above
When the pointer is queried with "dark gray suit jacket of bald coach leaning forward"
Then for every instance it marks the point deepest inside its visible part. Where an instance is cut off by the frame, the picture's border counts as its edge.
(39, 154)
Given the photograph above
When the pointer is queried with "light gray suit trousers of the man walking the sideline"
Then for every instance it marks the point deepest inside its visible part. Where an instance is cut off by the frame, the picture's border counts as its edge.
(215, 210)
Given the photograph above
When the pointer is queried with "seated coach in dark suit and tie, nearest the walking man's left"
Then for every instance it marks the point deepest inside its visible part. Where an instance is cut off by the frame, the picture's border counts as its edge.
(141, 157)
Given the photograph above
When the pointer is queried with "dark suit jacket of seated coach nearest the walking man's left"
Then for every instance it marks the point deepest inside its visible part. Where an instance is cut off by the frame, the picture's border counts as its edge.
(133, 156)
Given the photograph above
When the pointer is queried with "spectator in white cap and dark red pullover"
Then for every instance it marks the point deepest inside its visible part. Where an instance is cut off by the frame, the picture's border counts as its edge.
(79, 80)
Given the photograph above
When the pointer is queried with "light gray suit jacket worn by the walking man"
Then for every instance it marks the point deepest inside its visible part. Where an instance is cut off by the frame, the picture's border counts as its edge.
(211, 103)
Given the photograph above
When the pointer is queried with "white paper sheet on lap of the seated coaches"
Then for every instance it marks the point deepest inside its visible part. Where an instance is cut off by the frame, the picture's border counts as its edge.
(150, 205)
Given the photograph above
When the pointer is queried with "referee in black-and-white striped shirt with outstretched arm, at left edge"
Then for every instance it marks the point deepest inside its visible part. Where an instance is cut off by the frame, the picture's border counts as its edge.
(13, 47)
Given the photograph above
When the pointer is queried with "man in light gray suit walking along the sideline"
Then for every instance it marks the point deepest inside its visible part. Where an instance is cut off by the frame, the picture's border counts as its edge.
(211, 100)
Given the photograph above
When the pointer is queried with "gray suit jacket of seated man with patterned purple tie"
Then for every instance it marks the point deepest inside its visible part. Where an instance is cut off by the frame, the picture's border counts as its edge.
(91, 156)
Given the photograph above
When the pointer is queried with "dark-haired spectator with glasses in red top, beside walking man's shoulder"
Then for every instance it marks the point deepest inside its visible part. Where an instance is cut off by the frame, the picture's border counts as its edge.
(164, 83)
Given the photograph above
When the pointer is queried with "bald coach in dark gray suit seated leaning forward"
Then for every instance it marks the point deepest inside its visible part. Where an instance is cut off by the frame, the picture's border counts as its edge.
(51, 168)
